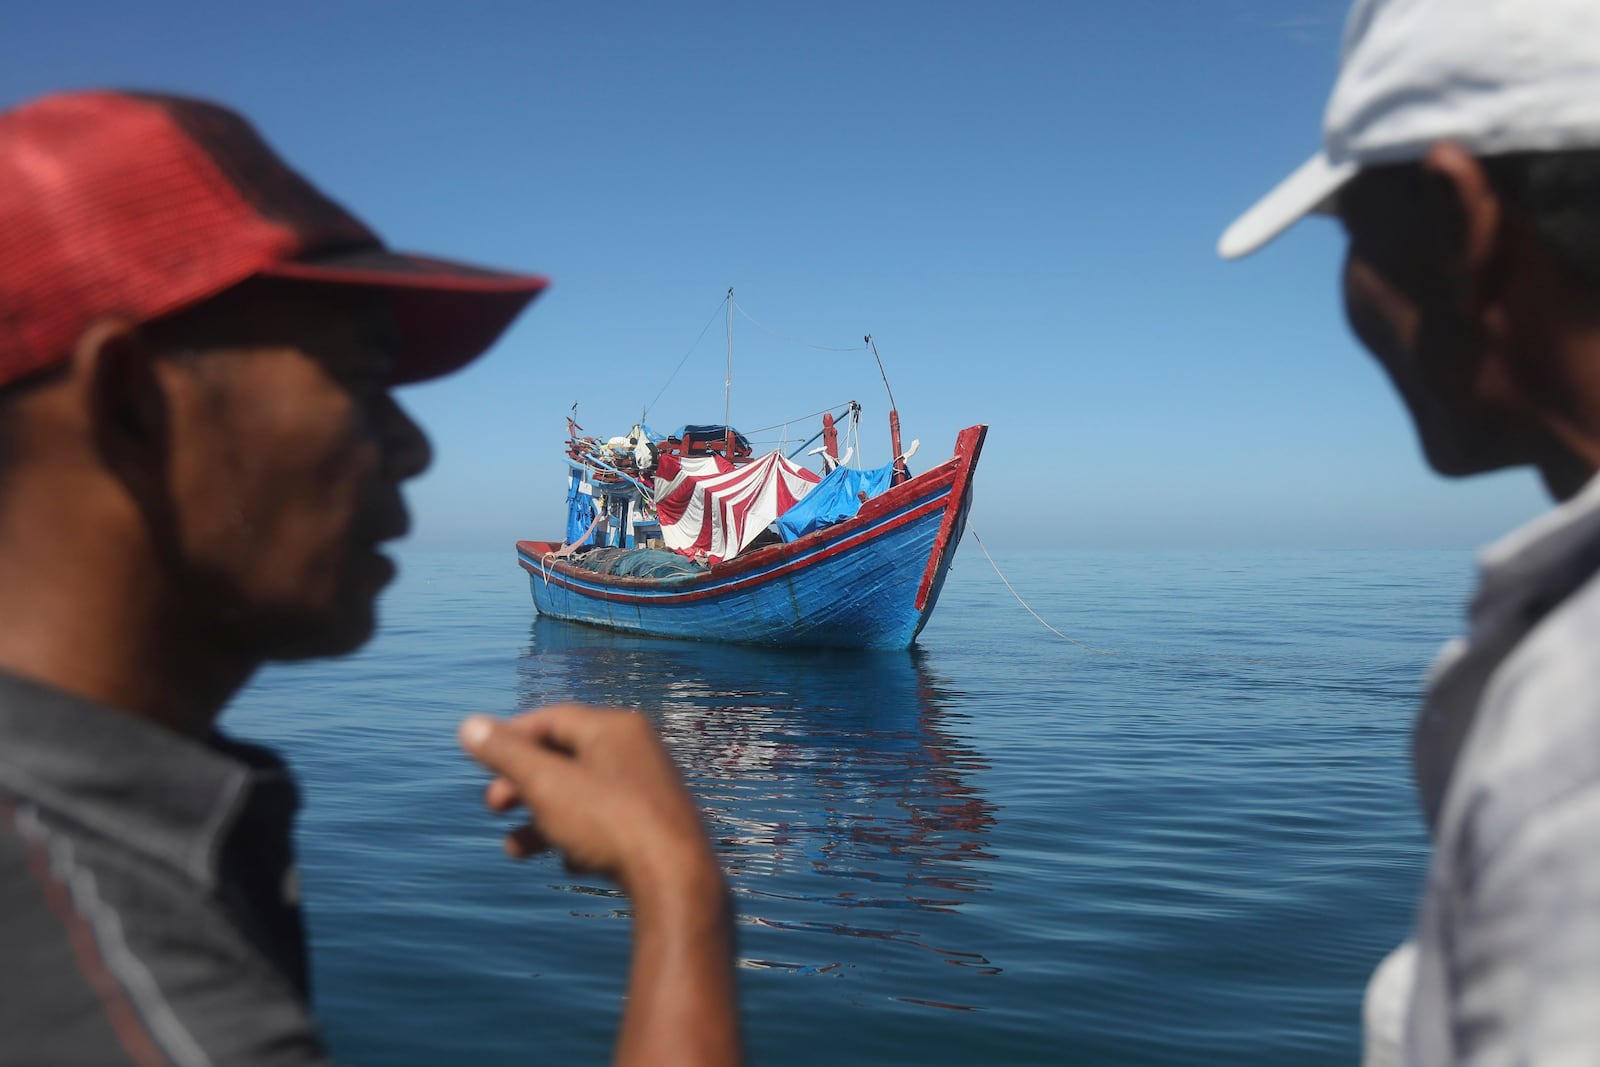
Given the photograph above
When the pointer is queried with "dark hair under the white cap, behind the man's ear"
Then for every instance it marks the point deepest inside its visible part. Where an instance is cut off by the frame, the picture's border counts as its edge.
(1561, 194)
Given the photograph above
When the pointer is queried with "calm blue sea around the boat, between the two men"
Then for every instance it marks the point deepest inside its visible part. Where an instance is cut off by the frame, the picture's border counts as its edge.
(996, 849)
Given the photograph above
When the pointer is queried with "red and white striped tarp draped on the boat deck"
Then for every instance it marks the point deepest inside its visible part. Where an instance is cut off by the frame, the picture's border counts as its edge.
(710, 508)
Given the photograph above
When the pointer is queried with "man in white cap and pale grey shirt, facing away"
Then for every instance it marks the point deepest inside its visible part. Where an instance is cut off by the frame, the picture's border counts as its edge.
(1462, 151)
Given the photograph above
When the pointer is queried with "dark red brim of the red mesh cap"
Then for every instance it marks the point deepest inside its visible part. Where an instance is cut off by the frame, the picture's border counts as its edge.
(449, 314)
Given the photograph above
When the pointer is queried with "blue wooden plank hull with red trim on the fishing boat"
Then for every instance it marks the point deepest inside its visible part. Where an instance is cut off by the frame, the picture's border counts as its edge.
(866, 583)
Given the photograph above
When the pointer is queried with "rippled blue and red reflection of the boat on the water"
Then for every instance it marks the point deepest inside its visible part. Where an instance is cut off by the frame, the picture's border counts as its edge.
(834, 793)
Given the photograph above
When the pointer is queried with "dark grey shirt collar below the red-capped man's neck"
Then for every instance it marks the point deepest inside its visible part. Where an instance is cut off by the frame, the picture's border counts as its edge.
(150, 789)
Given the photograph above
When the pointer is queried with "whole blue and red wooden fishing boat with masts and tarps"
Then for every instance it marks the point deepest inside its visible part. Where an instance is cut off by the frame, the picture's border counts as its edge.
(690, 535)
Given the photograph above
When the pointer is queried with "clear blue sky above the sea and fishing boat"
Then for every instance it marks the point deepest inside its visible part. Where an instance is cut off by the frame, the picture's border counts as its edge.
(1020, 201)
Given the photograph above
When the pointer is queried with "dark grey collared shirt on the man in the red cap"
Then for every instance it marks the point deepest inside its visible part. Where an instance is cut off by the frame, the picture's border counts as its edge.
(148, 898)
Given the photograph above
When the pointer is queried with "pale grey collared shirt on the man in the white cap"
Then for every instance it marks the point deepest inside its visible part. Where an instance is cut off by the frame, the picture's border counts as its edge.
(1508, 767)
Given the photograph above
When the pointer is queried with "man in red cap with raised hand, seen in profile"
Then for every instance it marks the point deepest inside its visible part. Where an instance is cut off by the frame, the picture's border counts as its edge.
(199, 463)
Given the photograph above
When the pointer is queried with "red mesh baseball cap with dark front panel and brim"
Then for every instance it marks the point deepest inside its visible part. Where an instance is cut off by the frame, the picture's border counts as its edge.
(140, 206)
